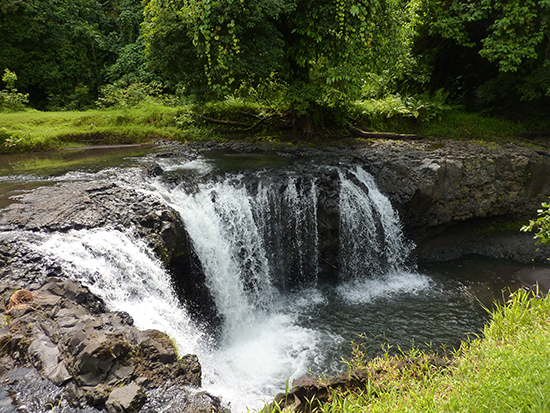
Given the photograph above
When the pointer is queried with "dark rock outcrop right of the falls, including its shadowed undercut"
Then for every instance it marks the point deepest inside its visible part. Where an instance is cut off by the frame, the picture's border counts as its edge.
(458, 198)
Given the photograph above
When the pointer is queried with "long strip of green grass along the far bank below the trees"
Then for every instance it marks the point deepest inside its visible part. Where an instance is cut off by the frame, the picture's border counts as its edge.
(32, 131)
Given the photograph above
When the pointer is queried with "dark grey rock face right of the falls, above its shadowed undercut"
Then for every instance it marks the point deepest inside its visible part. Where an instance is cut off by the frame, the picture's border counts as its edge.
(435, 183)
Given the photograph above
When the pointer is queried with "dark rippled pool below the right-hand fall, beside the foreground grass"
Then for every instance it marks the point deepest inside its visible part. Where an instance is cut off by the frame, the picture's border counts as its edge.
(435, 307)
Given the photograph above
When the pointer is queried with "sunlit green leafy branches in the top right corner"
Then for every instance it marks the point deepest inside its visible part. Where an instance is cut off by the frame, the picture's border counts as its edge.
(513, 34)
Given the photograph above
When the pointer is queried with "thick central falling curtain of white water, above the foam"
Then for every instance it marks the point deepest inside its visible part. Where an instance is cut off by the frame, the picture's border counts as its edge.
(219, 219)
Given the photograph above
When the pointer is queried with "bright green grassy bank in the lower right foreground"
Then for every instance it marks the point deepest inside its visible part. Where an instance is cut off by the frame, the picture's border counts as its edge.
(507, 370)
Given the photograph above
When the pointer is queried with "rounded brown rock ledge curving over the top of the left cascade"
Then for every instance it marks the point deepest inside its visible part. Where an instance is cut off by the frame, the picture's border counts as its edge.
(86, 205)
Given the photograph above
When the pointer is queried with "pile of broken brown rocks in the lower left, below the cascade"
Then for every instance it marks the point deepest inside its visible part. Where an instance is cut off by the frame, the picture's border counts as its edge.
(91, 352)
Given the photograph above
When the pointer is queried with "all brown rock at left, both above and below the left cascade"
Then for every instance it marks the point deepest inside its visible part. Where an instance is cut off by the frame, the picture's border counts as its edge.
(88, 358)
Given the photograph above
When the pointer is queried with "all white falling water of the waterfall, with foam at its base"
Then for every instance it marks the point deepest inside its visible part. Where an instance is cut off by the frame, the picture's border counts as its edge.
(248, 234)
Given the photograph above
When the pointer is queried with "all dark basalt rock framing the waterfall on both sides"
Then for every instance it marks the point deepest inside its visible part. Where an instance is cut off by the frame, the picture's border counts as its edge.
(66, 347)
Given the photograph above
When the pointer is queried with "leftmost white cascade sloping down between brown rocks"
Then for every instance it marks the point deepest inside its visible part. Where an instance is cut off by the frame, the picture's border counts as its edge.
(123, 271)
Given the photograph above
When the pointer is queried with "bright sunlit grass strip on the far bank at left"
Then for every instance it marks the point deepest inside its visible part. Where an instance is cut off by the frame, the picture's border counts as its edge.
(33, 131)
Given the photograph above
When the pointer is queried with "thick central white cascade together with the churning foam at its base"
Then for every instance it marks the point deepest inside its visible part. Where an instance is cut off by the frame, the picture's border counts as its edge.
(260, 346)
